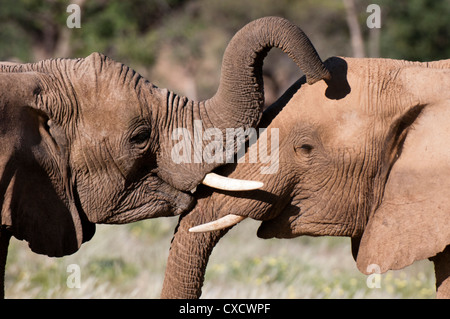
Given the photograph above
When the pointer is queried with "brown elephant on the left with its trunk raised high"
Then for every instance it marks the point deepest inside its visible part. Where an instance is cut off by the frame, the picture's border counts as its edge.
(89, 140)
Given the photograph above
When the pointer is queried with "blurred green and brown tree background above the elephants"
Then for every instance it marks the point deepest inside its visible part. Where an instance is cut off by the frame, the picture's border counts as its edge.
(180, 43)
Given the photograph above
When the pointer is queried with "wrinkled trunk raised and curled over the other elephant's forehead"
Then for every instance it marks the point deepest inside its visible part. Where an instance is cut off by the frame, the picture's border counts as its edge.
(239, 100)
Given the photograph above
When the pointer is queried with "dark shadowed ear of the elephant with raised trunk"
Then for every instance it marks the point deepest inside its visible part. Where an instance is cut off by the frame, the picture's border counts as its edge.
(35, 193)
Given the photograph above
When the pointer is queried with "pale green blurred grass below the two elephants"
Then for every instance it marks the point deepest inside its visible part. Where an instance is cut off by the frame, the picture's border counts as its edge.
(128, 261)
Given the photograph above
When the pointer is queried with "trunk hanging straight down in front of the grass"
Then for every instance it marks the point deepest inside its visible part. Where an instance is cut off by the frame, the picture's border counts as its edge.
(188, 257)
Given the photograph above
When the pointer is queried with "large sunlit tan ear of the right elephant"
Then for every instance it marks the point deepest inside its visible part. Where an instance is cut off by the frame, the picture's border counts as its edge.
(413, 220)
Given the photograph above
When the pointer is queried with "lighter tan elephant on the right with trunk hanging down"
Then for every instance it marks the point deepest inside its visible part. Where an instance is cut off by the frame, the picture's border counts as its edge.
(363, 155)
